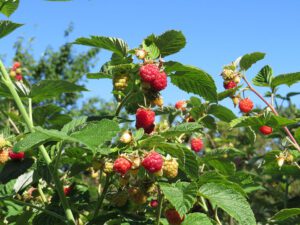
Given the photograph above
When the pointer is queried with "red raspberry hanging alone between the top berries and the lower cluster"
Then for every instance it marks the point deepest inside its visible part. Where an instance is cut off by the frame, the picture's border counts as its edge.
(144, 118)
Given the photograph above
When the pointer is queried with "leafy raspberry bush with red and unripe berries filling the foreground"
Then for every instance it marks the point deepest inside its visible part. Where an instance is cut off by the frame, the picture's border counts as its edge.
(196, 162)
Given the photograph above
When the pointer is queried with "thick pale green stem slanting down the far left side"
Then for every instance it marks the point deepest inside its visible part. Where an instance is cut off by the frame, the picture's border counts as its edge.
(6, 79)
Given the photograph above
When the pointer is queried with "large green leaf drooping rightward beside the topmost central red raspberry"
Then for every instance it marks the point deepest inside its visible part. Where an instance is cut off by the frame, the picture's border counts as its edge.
(192, 80)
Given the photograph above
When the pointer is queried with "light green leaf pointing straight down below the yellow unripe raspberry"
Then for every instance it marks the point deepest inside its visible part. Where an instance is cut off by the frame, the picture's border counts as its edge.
(181, 195)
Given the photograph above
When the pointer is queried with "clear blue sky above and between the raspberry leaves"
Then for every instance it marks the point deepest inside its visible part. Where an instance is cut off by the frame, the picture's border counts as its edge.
(217, 32)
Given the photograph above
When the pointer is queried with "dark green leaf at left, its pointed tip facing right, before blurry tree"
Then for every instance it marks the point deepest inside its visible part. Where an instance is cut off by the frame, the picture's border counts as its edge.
(46, 89)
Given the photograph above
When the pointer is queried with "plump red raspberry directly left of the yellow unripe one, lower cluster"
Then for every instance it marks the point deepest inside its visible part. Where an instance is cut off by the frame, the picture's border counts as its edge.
(153, 162)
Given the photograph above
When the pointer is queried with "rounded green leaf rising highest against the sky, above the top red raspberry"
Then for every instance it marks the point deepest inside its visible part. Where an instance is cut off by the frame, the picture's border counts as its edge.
(168, 43)
